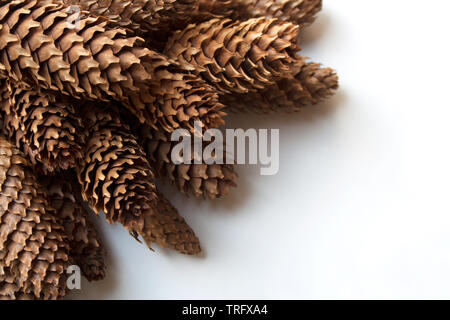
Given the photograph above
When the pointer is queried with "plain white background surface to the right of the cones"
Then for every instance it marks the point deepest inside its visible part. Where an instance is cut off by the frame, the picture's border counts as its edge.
(360, 208)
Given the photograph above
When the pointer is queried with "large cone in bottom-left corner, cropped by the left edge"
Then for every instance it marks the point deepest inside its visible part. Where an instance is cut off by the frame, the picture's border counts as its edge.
(33, 246)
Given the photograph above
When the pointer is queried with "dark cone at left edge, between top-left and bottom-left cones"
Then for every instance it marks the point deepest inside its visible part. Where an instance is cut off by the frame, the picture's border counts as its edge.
(43, 126)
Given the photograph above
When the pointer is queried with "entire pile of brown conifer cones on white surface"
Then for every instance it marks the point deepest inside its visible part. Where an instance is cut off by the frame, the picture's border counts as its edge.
(90, 98)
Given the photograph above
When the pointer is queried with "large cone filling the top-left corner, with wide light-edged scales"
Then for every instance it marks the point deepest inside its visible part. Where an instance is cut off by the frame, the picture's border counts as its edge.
(40, 46)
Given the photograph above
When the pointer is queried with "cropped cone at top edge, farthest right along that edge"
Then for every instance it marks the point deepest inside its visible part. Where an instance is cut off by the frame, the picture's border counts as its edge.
(300, 12)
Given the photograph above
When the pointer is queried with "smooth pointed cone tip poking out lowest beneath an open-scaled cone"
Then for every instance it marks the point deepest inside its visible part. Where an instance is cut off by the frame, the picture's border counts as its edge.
(167, 228)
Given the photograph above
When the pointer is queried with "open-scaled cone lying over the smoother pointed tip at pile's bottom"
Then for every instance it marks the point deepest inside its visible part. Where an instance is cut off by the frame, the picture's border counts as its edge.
(115, 175)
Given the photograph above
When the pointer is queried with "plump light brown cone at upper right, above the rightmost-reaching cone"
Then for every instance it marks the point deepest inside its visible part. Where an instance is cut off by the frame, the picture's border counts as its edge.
(237, 57)
